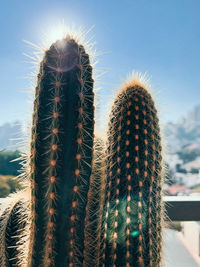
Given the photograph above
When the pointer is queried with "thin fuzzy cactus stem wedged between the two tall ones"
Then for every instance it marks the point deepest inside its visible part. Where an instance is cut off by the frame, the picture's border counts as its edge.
(93, 224)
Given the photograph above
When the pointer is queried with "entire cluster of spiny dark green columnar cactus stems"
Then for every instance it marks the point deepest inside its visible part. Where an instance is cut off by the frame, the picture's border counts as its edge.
(84, 210)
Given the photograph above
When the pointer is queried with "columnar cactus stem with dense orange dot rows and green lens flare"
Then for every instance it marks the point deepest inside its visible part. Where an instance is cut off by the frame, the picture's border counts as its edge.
(133, 207)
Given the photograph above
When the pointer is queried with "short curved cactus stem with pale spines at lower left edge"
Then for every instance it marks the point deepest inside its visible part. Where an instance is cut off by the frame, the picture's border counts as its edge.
(13, 221)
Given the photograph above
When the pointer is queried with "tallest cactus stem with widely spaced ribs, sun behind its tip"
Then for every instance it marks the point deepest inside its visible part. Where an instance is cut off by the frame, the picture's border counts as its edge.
(61, 155)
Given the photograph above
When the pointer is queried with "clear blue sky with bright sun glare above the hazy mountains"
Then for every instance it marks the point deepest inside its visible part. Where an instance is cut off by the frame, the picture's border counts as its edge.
(159, 37)
